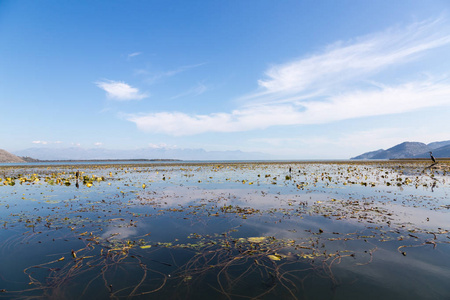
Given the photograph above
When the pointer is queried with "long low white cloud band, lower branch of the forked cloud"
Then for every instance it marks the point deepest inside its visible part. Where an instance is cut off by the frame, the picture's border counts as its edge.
(390, 100)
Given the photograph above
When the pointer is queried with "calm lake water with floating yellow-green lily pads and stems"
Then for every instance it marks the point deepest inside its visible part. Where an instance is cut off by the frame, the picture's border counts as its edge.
(331, 230)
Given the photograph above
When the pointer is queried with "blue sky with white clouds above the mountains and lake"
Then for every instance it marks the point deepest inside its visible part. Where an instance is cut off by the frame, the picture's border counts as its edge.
(292, 79)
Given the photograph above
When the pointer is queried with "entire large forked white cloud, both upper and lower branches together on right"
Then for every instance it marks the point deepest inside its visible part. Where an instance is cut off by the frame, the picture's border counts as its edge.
(325, 87)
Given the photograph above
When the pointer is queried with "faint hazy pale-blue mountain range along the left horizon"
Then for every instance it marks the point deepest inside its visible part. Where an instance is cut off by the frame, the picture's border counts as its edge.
(78, 153)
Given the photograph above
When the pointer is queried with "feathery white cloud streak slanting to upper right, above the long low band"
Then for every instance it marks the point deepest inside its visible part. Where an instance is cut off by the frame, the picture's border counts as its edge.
(349, 62)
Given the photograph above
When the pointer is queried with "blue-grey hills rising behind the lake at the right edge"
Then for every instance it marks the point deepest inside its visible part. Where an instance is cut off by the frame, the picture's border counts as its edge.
(409, 150)
